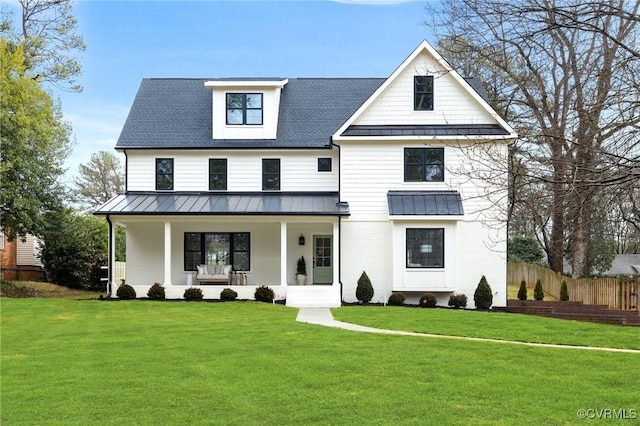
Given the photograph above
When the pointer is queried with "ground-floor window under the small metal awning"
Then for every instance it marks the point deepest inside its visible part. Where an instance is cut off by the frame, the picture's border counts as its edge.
(425, 248)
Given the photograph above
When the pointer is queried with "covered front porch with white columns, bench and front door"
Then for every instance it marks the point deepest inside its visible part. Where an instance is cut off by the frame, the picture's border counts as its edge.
(167, 248)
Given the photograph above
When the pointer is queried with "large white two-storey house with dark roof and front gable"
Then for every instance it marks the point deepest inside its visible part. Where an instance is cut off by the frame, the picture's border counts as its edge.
(354, 174)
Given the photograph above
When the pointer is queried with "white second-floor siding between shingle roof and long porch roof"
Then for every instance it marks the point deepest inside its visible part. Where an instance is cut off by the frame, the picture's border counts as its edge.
(298, 170)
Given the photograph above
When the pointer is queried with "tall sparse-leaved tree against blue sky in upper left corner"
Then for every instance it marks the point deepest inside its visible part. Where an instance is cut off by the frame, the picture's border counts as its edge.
(47, 30)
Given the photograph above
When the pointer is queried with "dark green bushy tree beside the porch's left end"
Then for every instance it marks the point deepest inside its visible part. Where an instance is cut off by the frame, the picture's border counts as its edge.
(74, 248)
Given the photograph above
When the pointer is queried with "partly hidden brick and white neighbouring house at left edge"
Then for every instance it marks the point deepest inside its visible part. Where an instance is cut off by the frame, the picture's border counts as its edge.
(20, 259)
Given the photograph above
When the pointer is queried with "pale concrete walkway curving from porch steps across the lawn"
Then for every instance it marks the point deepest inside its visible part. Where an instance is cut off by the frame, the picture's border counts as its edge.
(322, 316)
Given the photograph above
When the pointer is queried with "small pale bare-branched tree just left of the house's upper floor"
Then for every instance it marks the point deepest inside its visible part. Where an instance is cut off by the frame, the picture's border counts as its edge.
(99, 180)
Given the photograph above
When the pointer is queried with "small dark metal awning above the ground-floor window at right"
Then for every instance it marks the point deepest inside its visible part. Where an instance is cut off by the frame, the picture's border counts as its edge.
(425, 203)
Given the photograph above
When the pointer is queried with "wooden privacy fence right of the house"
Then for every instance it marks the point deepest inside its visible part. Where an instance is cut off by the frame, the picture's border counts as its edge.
(615, 293)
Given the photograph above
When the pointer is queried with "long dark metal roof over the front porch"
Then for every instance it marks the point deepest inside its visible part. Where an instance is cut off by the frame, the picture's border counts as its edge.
(273, 204)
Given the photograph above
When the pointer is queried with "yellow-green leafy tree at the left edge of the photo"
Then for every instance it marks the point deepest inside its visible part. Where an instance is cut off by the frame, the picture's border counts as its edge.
(34, 143)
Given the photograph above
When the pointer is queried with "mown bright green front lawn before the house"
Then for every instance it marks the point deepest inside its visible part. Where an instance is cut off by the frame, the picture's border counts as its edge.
(69, 362)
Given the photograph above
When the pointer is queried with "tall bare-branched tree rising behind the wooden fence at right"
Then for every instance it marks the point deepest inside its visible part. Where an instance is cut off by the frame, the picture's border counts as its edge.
(570, 84)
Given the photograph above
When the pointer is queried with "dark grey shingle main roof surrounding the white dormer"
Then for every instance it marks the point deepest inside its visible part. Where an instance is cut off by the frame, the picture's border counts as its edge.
(176, 113)
